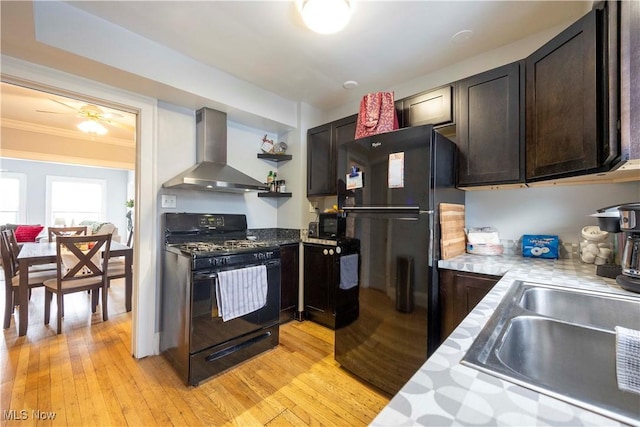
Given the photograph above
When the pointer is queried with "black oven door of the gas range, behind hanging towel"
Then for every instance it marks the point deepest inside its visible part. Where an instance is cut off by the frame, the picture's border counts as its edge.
(208, 330)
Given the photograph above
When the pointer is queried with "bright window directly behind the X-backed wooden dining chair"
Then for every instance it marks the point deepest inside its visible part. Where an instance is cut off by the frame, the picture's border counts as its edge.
(73, 200)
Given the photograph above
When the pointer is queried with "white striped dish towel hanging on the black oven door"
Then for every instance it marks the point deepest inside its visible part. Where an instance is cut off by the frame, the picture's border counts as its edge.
(241, 291)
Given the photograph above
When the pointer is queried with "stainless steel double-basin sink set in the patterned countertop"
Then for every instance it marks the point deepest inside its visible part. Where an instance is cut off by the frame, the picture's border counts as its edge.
(561, 342)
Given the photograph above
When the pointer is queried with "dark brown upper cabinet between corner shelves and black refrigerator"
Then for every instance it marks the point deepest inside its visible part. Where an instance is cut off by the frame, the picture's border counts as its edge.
(321, 154)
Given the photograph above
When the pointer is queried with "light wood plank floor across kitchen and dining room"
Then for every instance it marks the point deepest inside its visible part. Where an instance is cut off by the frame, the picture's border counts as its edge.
(86, 376)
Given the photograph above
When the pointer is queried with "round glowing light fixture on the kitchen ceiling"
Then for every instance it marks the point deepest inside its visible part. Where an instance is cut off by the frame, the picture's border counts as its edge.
(326, 16)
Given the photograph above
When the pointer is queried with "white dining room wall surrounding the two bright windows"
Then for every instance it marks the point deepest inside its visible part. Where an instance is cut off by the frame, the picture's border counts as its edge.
(36, 182)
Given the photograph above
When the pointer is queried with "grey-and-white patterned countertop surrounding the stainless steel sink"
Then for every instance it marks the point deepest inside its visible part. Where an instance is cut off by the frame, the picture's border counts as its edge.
(443, 392)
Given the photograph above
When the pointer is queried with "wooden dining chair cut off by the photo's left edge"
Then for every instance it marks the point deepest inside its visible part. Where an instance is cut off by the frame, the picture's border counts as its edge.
(12, 279)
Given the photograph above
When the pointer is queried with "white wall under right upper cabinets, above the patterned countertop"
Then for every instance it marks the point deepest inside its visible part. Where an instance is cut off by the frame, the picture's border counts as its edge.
(559, 210)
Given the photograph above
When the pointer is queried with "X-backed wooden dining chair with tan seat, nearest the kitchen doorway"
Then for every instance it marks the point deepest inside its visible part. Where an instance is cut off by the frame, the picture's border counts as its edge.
(82, 263)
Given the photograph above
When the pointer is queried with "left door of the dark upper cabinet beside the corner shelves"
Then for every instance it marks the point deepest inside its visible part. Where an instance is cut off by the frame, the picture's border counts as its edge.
(319, 160)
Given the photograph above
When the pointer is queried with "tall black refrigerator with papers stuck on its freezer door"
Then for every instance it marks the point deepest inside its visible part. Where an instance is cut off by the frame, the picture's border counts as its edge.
(389, 188)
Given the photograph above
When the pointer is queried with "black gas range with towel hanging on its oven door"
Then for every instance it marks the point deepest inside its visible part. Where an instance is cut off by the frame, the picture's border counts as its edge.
(199, 248)
